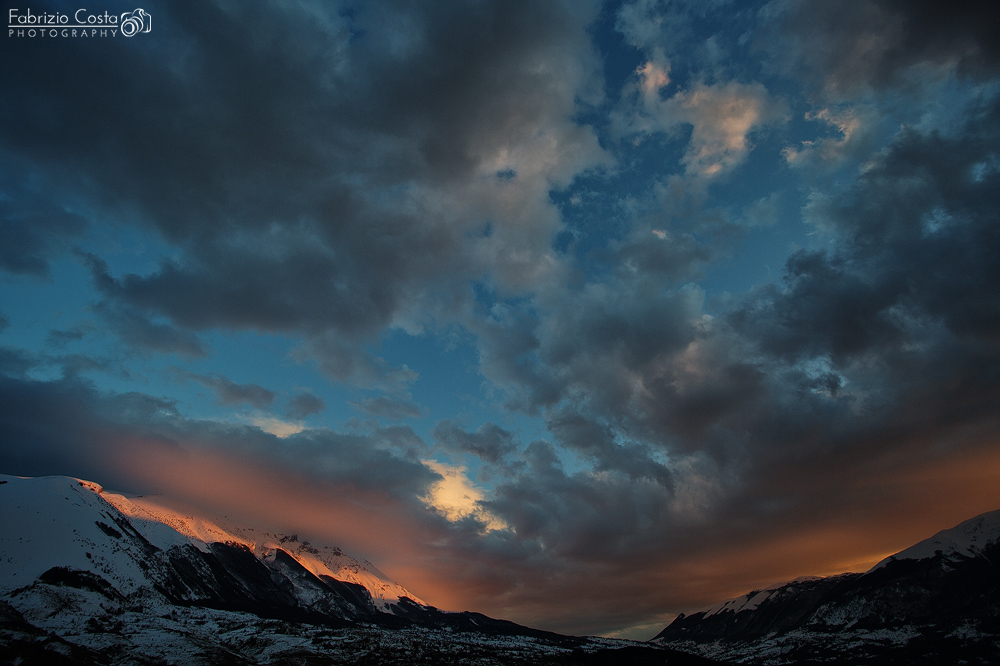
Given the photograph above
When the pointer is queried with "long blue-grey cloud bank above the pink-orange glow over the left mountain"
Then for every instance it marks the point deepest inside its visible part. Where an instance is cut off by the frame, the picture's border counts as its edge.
(68, 427)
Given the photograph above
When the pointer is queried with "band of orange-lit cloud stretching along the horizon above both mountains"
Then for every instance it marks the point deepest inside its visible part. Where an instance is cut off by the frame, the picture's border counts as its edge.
(619, 569)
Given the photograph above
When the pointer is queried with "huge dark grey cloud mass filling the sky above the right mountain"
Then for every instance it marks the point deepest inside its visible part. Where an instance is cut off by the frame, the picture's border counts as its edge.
(808, 401)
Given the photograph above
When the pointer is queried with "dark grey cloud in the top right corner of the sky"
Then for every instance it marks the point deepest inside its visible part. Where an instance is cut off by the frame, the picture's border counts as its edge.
(849, 46)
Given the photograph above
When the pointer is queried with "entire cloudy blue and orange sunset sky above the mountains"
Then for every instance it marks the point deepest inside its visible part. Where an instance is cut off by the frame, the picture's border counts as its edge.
(577, 314)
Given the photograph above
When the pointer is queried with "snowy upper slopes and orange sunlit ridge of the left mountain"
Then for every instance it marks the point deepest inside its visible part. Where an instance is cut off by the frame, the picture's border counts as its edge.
(79, 523)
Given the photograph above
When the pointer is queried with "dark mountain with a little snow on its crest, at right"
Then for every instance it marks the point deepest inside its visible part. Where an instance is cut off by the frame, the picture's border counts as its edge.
(936, 602)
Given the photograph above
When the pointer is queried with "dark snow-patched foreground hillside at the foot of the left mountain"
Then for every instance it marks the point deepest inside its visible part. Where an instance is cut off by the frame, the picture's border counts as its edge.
(223, 638)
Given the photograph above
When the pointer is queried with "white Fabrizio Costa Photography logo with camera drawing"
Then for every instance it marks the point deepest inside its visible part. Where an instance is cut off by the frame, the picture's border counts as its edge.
(81, 23)
